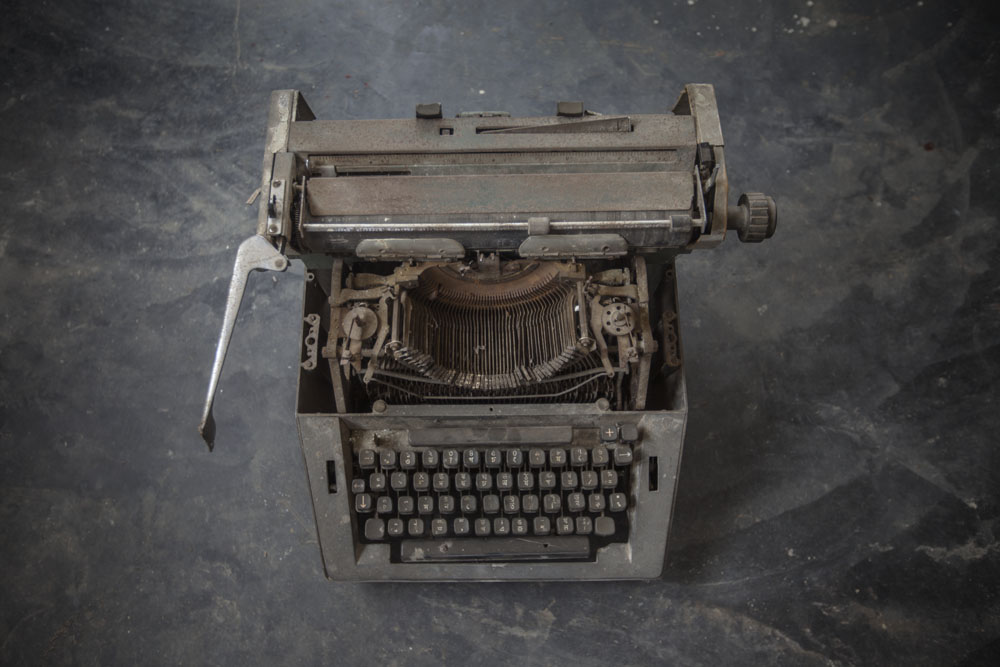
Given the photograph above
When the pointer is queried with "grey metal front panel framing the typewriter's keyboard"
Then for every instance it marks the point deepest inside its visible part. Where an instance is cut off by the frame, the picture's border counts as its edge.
(323, 439)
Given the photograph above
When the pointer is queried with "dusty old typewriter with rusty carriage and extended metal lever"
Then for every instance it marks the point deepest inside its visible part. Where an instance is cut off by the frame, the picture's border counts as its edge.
(491, 383)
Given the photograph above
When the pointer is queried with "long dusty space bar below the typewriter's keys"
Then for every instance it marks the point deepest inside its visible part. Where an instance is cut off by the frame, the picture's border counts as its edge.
(478, 550)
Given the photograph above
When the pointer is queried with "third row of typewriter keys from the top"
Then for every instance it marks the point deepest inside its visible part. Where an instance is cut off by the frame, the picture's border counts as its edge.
(550, 503)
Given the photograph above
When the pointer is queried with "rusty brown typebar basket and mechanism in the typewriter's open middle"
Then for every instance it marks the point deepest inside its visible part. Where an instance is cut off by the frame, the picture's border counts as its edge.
(499, 331)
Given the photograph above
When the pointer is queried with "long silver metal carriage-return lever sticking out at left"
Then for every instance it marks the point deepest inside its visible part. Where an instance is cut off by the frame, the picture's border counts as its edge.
(255, 254)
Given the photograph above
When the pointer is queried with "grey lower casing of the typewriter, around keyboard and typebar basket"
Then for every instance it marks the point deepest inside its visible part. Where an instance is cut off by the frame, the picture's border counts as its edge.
(330, 438)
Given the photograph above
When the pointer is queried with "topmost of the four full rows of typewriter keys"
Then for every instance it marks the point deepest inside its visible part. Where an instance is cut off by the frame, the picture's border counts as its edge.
(473, 459)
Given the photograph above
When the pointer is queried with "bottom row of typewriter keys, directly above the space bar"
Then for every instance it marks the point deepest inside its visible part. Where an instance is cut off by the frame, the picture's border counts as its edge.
(377, 529)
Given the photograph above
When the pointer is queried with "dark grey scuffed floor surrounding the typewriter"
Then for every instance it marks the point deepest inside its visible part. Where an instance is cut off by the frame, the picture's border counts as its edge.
(838, 500)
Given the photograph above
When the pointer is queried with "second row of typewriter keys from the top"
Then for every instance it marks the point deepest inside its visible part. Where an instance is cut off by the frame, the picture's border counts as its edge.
(483, 481)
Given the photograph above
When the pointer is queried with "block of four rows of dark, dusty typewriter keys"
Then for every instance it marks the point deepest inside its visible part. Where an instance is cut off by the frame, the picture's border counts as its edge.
(502, 492)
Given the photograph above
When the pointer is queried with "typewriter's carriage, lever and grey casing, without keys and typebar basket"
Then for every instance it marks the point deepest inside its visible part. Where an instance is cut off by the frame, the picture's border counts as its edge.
(575, 186)
